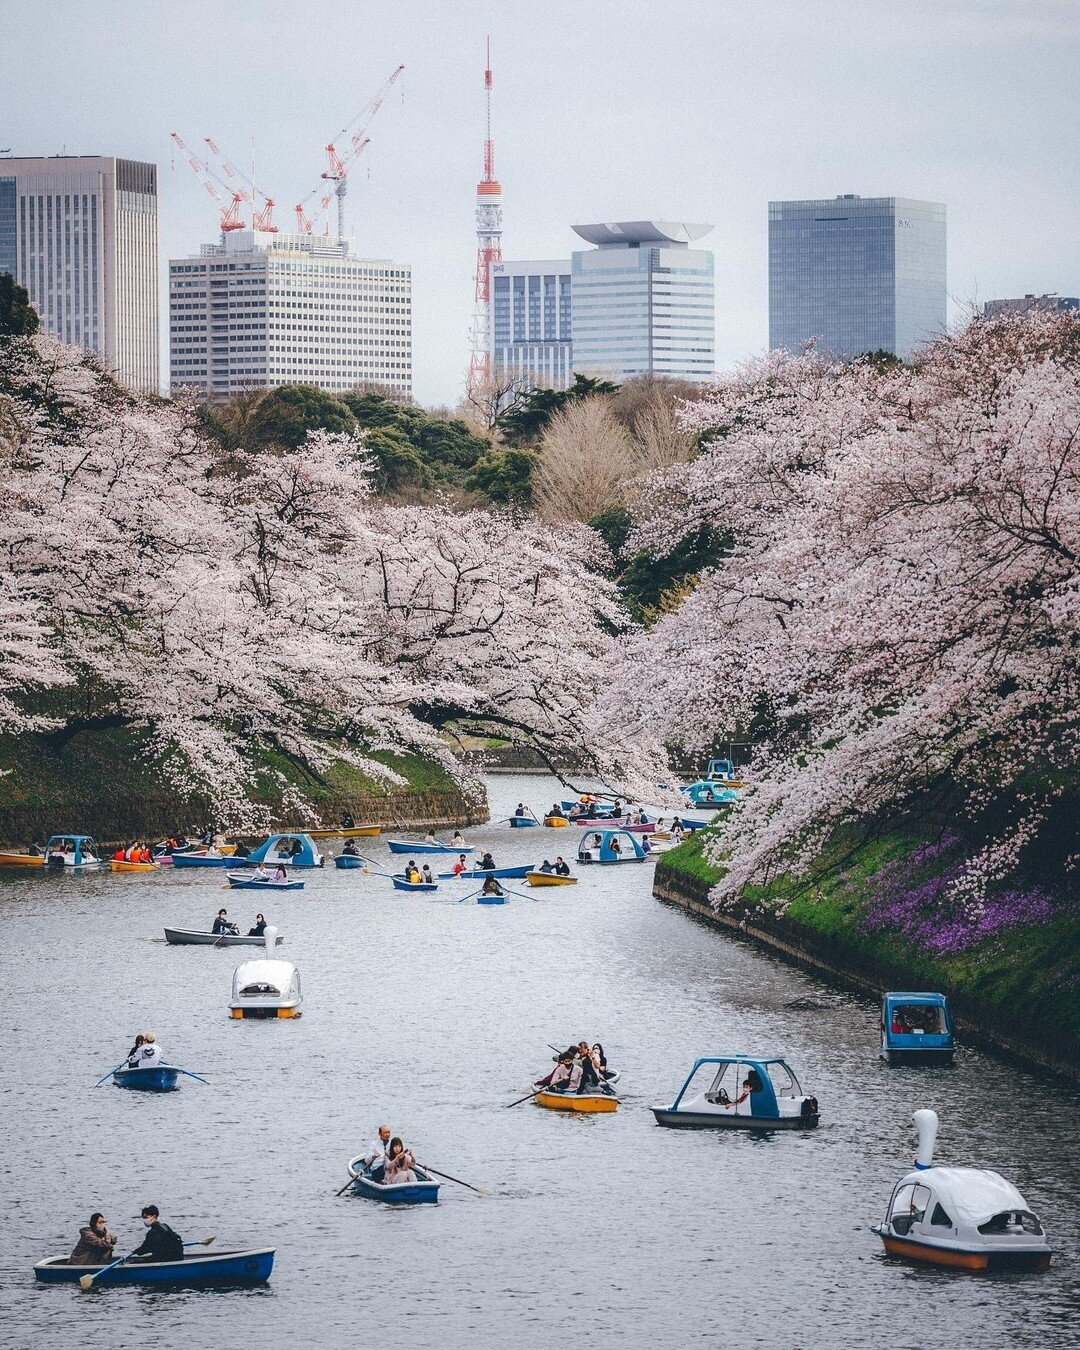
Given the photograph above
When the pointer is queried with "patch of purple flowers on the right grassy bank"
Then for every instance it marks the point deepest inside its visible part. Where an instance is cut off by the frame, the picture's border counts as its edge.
(917, 897)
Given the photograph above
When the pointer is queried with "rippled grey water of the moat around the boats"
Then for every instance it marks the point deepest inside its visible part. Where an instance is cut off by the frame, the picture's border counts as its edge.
(433, 1016)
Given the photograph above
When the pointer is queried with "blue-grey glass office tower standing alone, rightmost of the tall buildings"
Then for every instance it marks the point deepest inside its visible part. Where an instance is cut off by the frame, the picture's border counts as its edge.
(857, 273)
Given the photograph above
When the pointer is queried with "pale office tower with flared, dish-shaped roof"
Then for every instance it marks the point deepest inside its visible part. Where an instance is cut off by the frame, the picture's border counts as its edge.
(643, 302)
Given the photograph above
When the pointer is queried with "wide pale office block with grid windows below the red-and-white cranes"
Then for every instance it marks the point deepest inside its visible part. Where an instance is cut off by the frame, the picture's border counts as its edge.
(261, 310)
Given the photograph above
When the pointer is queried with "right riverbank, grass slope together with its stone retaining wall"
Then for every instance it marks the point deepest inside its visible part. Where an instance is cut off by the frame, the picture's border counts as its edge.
(1016, 993)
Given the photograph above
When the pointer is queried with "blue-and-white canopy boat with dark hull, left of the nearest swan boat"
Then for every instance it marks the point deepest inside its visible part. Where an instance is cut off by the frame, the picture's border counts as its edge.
(740, 1093)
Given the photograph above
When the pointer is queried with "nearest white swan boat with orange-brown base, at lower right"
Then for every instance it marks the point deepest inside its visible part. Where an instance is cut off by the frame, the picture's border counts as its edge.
(966, 1218)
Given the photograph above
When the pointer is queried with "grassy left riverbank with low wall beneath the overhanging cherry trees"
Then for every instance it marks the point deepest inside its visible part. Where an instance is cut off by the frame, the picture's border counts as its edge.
(105, 784)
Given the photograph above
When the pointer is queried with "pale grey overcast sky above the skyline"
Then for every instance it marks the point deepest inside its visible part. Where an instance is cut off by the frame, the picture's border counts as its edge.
(693, 110)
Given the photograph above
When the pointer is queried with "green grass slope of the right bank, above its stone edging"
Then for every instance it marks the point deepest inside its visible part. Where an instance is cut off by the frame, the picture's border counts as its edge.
(1032, 970)
